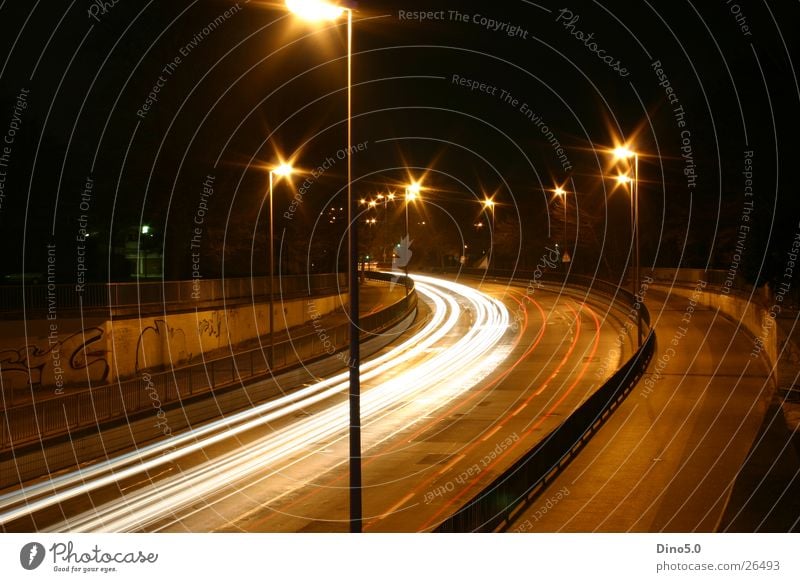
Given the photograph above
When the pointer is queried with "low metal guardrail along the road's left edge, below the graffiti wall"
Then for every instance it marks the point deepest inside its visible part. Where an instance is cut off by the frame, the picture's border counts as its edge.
(59, 415)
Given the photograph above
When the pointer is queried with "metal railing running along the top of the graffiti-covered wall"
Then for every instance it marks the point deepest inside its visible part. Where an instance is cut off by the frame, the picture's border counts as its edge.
(118, 295)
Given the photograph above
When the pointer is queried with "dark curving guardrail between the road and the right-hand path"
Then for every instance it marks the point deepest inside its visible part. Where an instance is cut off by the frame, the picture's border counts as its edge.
(497, 504)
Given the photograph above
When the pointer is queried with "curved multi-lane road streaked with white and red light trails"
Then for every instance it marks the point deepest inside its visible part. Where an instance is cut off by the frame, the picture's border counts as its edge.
(445, 409)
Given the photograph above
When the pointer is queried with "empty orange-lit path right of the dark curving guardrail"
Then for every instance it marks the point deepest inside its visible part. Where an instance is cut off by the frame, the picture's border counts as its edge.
(669, 457)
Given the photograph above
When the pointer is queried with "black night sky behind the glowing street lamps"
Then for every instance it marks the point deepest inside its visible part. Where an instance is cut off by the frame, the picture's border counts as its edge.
(474, 98)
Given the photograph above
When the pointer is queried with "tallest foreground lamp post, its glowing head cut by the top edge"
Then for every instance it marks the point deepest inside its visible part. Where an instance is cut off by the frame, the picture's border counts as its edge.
(320, 10)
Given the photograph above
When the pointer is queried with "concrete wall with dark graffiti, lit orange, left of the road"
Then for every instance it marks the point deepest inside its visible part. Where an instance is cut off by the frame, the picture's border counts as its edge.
(52, 354)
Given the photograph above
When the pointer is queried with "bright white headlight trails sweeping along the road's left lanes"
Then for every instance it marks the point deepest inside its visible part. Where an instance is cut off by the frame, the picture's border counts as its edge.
(437, 378)
